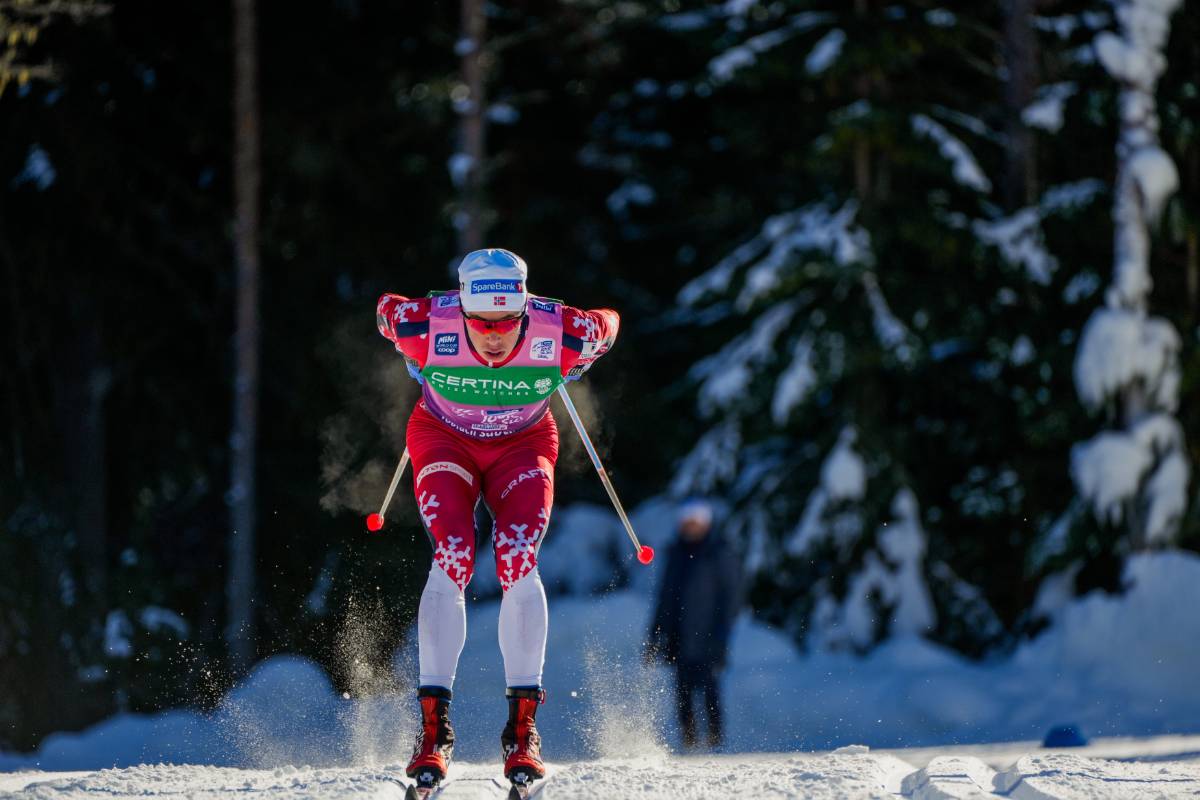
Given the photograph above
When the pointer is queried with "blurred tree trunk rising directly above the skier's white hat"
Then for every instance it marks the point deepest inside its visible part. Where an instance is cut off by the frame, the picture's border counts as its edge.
(472, 128)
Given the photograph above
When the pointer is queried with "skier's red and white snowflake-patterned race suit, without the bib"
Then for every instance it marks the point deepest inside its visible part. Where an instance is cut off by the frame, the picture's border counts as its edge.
(514, 474)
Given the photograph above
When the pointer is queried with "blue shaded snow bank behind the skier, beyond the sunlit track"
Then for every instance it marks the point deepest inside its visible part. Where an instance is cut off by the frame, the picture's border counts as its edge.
(1112, 665)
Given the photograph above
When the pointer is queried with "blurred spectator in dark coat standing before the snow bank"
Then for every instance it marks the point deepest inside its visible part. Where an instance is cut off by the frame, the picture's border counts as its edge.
(699, 600)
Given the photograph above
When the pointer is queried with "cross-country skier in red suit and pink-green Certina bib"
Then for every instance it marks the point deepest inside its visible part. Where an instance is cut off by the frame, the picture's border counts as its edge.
(488, 358)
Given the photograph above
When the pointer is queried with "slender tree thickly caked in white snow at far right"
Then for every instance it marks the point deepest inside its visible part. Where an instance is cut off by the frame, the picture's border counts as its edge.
(1133, 476)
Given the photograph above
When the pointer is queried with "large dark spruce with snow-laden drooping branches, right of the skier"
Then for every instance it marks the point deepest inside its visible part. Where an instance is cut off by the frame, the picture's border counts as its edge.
(890, 297)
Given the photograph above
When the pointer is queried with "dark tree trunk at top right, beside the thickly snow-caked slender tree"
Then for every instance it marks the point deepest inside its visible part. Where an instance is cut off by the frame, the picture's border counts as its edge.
(1021, 187)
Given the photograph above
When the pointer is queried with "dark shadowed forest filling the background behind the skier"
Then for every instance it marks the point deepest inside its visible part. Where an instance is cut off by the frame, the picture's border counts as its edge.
(621, 165)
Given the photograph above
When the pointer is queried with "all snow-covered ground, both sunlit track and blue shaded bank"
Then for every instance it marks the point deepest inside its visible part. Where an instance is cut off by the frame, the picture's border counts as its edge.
(1121, 669)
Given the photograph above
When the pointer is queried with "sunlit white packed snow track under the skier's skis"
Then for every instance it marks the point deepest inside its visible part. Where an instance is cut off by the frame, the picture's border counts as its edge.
(849, 773)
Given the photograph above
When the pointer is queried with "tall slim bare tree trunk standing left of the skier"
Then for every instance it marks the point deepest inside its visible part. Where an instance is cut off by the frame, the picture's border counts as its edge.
(243, 444)
